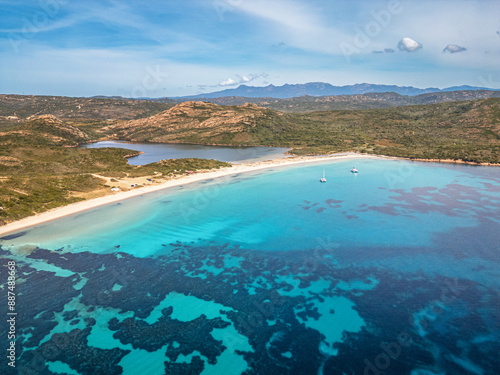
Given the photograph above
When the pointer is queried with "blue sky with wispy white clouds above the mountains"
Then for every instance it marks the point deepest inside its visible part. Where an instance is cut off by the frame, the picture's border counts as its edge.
(172, 48)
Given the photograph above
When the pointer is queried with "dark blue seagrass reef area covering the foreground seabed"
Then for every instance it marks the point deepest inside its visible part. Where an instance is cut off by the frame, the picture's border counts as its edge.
(269, 314)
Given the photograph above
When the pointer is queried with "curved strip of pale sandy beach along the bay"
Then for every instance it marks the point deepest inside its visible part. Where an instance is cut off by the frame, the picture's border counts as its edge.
(236, 168)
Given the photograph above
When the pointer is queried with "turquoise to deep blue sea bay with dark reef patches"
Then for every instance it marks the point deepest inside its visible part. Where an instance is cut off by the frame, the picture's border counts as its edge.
(393, 269)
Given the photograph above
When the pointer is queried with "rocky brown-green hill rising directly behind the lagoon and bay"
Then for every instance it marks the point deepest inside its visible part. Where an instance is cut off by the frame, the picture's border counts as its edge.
(468, 130)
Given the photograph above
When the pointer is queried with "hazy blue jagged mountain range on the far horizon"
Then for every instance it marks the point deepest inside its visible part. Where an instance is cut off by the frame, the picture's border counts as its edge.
(322, 89)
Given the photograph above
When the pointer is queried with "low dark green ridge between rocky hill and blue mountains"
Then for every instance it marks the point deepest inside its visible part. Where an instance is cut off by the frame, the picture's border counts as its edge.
(18, 107)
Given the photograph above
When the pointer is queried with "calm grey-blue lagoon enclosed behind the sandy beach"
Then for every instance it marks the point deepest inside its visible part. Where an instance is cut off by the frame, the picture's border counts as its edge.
(153, 152)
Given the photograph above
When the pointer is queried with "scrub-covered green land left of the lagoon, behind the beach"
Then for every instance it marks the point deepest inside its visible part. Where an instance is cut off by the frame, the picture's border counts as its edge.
(41, 169)
